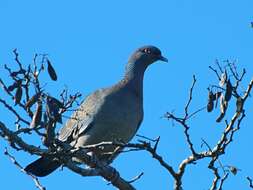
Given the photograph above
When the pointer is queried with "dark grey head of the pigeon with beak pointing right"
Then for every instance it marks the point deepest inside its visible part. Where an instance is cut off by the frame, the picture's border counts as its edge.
(147, 55)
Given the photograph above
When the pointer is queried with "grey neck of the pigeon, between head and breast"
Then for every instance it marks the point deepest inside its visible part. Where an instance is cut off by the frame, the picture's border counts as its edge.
(134, 77)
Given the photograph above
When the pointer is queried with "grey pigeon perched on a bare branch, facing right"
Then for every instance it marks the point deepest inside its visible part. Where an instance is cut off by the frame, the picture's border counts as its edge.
(106, 115)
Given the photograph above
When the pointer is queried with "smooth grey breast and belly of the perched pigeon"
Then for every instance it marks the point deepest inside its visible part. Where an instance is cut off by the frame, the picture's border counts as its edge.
(117, 119)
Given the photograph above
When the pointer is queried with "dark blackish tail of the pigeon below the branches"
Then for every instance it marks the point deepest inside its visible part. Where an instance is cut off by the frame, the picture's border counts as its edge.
(42, 167)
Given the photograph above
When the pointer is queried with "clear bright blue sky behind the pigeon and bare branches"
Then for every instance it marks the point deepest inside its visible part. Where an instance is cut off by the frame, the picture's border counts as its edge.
(89, 43)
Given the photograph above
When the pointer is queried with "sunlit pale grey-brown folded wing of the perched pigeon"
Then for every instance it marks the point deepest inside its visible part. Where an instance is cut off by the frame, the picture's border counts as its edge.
(82, 119)
